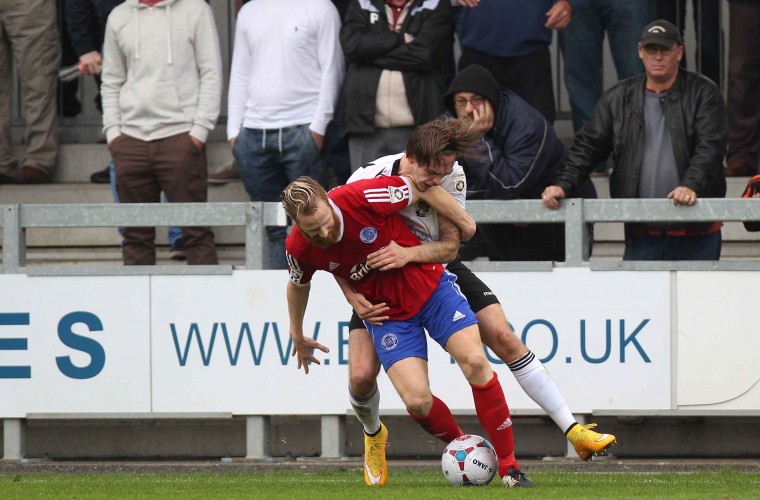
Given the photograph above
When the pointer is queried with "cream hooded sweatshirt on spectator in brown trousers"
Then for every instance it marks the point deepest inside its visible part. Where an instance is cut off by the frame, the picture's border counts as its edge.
(161, 70)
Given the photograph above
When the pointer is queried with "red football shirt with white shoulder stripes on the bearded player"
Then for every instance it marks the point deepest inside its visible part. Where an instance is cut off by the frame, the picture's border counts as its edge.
(367, 214)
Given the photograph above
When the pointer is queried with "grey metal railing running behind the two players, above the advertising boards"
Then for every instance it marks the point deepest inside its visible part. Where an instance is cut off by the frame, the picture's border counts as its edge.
(574, 213)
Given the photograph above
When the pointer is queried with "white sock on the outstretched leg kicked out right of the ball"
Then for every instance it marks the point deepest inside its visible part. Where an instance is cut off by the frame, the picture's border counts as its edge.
(538, 384)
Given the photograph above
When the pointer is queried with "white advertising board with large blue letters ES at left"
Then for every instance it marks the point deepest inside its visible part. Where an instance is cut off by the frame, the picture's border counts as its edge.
(74, 345)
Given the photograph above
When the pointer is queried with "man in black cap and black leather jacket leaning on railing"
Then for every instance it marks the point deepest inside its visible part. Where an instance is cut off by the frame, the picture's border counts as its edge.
(667, 132)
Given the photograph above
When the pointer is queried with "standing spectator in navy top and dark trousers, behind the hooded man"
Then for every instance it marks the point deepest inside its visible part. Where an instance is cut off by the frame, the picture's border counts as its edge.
(511, 39)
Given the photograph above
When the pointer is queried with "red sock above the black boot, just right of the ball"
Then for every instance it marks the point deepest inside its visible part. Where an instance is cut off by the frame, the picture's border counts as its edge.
(493, 414)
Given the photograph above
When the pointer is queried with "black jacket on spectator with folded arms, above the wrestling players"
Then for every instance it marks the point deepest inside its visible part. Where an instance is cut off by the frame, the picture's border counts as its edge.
(371, 46)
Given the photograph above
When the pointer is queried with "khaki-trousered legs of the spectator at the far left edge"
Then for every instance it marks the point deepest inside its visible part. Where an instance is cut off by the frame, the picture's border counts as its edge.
(29, 37)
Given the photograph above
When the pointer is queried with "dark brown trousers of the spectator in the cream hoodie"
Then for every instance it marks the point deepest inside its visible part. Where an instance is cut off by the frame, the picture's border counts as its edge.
(172, 165)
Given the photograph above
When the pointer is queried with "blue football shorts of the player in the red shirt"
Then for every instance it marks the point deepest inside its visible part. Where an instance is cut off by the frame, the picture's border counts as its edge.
(445, 313)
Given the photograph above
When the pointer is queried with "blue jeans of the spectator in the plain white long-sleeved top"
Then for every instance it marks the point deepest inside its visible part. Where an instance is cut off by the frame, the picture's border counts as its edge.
(271, 159)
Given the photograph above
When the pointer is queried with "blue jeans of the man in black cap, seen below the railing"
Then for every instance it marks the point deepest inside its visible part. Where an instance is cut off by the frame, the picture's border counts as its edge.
(647, 247)
